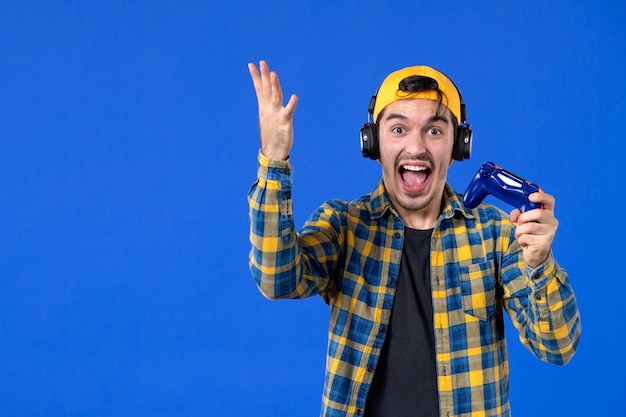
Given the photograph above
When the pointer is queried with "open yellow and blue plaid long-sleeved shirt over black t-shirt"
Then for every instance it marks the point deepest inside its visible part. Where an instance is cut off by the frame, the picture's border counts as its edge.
(349, 253)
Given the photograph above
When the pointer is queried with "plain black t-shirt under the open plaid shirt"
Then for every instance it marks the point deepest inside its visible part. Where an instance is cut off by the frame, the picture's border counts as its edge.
(405, 379)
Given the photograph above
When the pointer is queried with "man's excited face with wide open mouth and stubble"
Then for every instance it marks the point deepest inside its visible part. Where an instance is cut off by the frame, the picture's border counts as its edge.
(415, 152)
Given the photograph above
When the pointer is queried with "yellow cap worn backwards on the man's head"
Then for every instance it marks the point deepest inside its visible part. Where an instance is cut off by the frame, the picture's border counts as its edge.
(389, 90)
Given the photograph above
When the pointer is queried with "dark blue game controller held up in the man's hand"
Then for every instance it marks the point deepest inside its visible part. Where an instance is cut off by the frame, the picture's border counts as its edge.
(493, 180)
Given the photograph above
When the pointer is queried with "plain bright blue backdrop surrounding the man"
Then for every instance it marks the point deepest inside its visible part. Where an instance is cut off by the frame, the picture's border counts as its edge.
(128, 142)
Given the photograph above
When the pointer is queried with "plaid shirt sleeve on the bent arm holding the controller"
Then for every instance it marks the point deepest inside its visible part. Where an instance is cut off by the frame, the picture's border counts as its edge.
(542, 306)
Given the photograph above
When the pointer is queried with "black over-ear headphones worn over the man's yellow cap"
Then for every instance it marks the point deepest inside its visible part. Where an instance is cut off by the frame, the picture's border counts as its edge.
(461, 149)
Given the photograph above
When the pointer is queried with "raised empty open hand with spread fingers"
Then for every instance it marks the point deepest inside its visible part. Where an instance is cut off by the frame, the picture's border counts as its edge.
(275, 121)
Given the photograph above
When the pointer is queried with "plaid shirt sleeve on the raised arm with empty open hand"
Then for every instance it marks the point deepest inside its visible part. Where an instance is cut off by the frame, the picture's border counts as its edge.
(277, 261)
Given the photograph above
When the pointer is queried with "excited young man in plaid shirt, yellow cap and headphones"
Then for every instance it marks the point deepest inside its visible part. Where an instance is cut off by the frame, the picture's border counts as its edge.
(417, 283)
